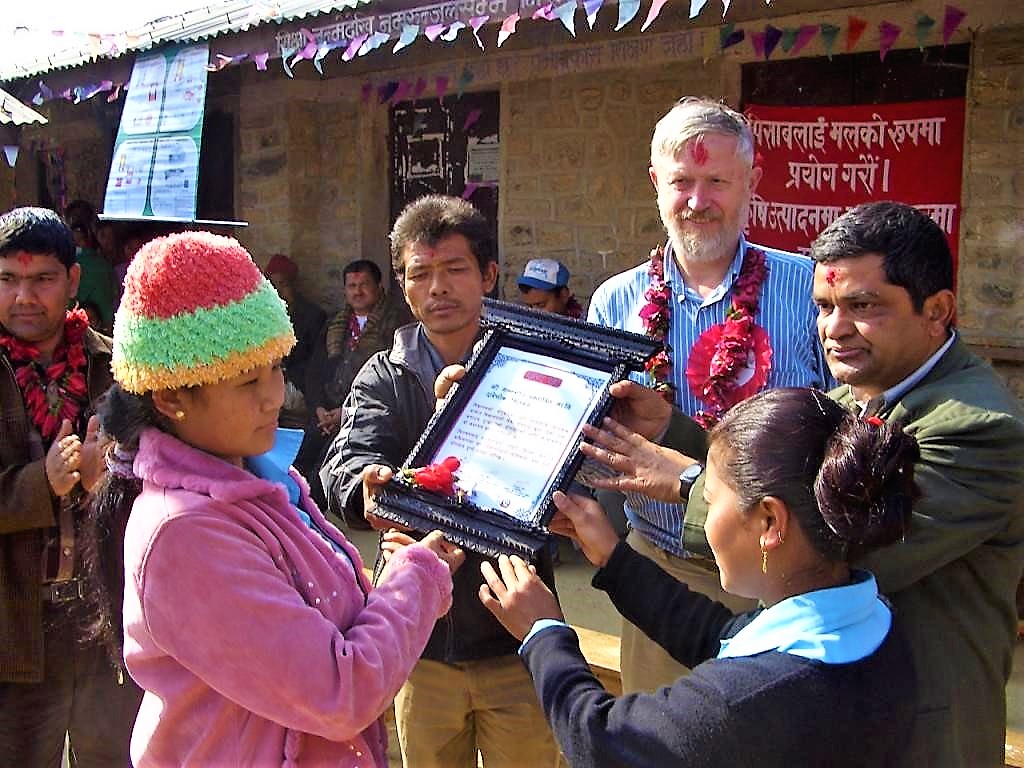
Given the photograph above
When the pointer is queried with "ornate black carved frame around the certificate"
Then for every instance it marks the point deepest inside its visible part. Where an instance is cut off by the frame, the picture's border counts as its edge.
(525, 335)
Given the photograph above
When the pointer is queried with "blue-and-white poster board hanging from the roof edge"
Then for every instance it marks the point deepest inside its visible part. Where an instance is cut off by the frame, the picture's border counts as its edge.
(155, 170)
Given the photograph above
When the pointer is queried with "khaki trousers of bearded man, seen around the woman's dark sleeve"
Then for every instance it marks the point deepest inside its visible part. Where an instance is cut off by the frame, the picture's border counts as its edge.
(647, 666)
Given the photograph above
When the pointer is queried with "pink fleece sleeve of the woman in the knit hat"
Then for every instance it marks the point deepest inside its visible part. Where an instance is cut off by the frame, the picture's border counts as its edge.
(214, 600)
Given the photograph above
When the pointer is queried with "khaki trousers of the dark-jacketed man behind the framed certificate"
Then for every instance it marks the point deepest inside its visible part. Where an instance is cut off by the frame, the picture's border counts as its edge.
(447, 712)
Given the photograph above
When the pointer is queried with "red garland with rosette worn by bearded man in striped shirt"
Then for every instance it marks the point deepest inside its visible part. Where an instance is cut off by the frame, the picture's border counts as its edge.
(731, 361)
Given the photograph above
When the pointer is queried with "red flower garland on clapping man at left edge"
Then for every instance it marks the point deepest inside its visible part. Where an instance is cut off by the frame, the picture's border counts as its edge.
(59, 391)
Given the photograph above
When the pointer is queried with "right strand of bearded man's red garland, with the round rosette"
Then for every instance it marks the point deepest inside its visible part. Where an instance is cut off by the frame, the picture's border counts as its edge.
(731, 362)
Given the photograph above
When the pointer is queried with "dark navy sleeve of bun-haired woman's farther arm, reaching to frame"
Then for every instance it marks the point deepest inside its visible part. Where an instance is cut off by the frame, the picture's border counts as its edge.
(689, 625)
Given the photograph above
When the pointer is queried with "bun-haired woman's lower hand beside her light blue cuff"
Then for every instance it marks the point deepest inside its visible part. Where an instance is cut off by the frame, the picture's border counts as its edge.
(518, 598)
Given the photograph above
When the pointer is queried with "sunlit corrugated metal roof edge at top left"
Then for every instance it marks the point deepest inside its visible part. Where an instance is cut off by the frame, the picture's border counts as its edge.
(203, 23)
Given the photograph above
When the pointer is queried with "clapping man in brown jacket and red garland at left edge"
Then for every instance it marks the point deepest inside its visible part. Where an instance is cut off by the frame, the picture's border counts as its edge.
(53, 369)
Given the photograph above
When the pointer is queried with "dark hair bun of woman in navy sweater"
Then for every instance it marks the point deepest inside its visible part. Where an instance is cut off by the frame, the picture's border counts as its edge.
(866, 489)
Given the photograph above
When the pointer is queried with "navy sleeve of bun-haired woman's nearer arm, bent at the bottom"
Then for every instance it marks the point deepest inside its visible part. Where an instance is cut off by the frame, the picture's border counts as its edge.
(681, 724)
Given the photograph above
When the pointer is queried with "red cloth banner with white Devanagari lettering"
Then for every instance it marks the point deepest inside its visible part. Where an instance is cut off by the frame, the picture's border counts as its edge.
(822, 161)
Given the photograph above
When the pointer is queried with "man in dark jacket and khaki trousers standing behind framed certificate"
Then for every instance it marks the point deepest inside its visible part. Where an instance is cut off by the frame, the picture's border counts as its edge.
(470, 691)
